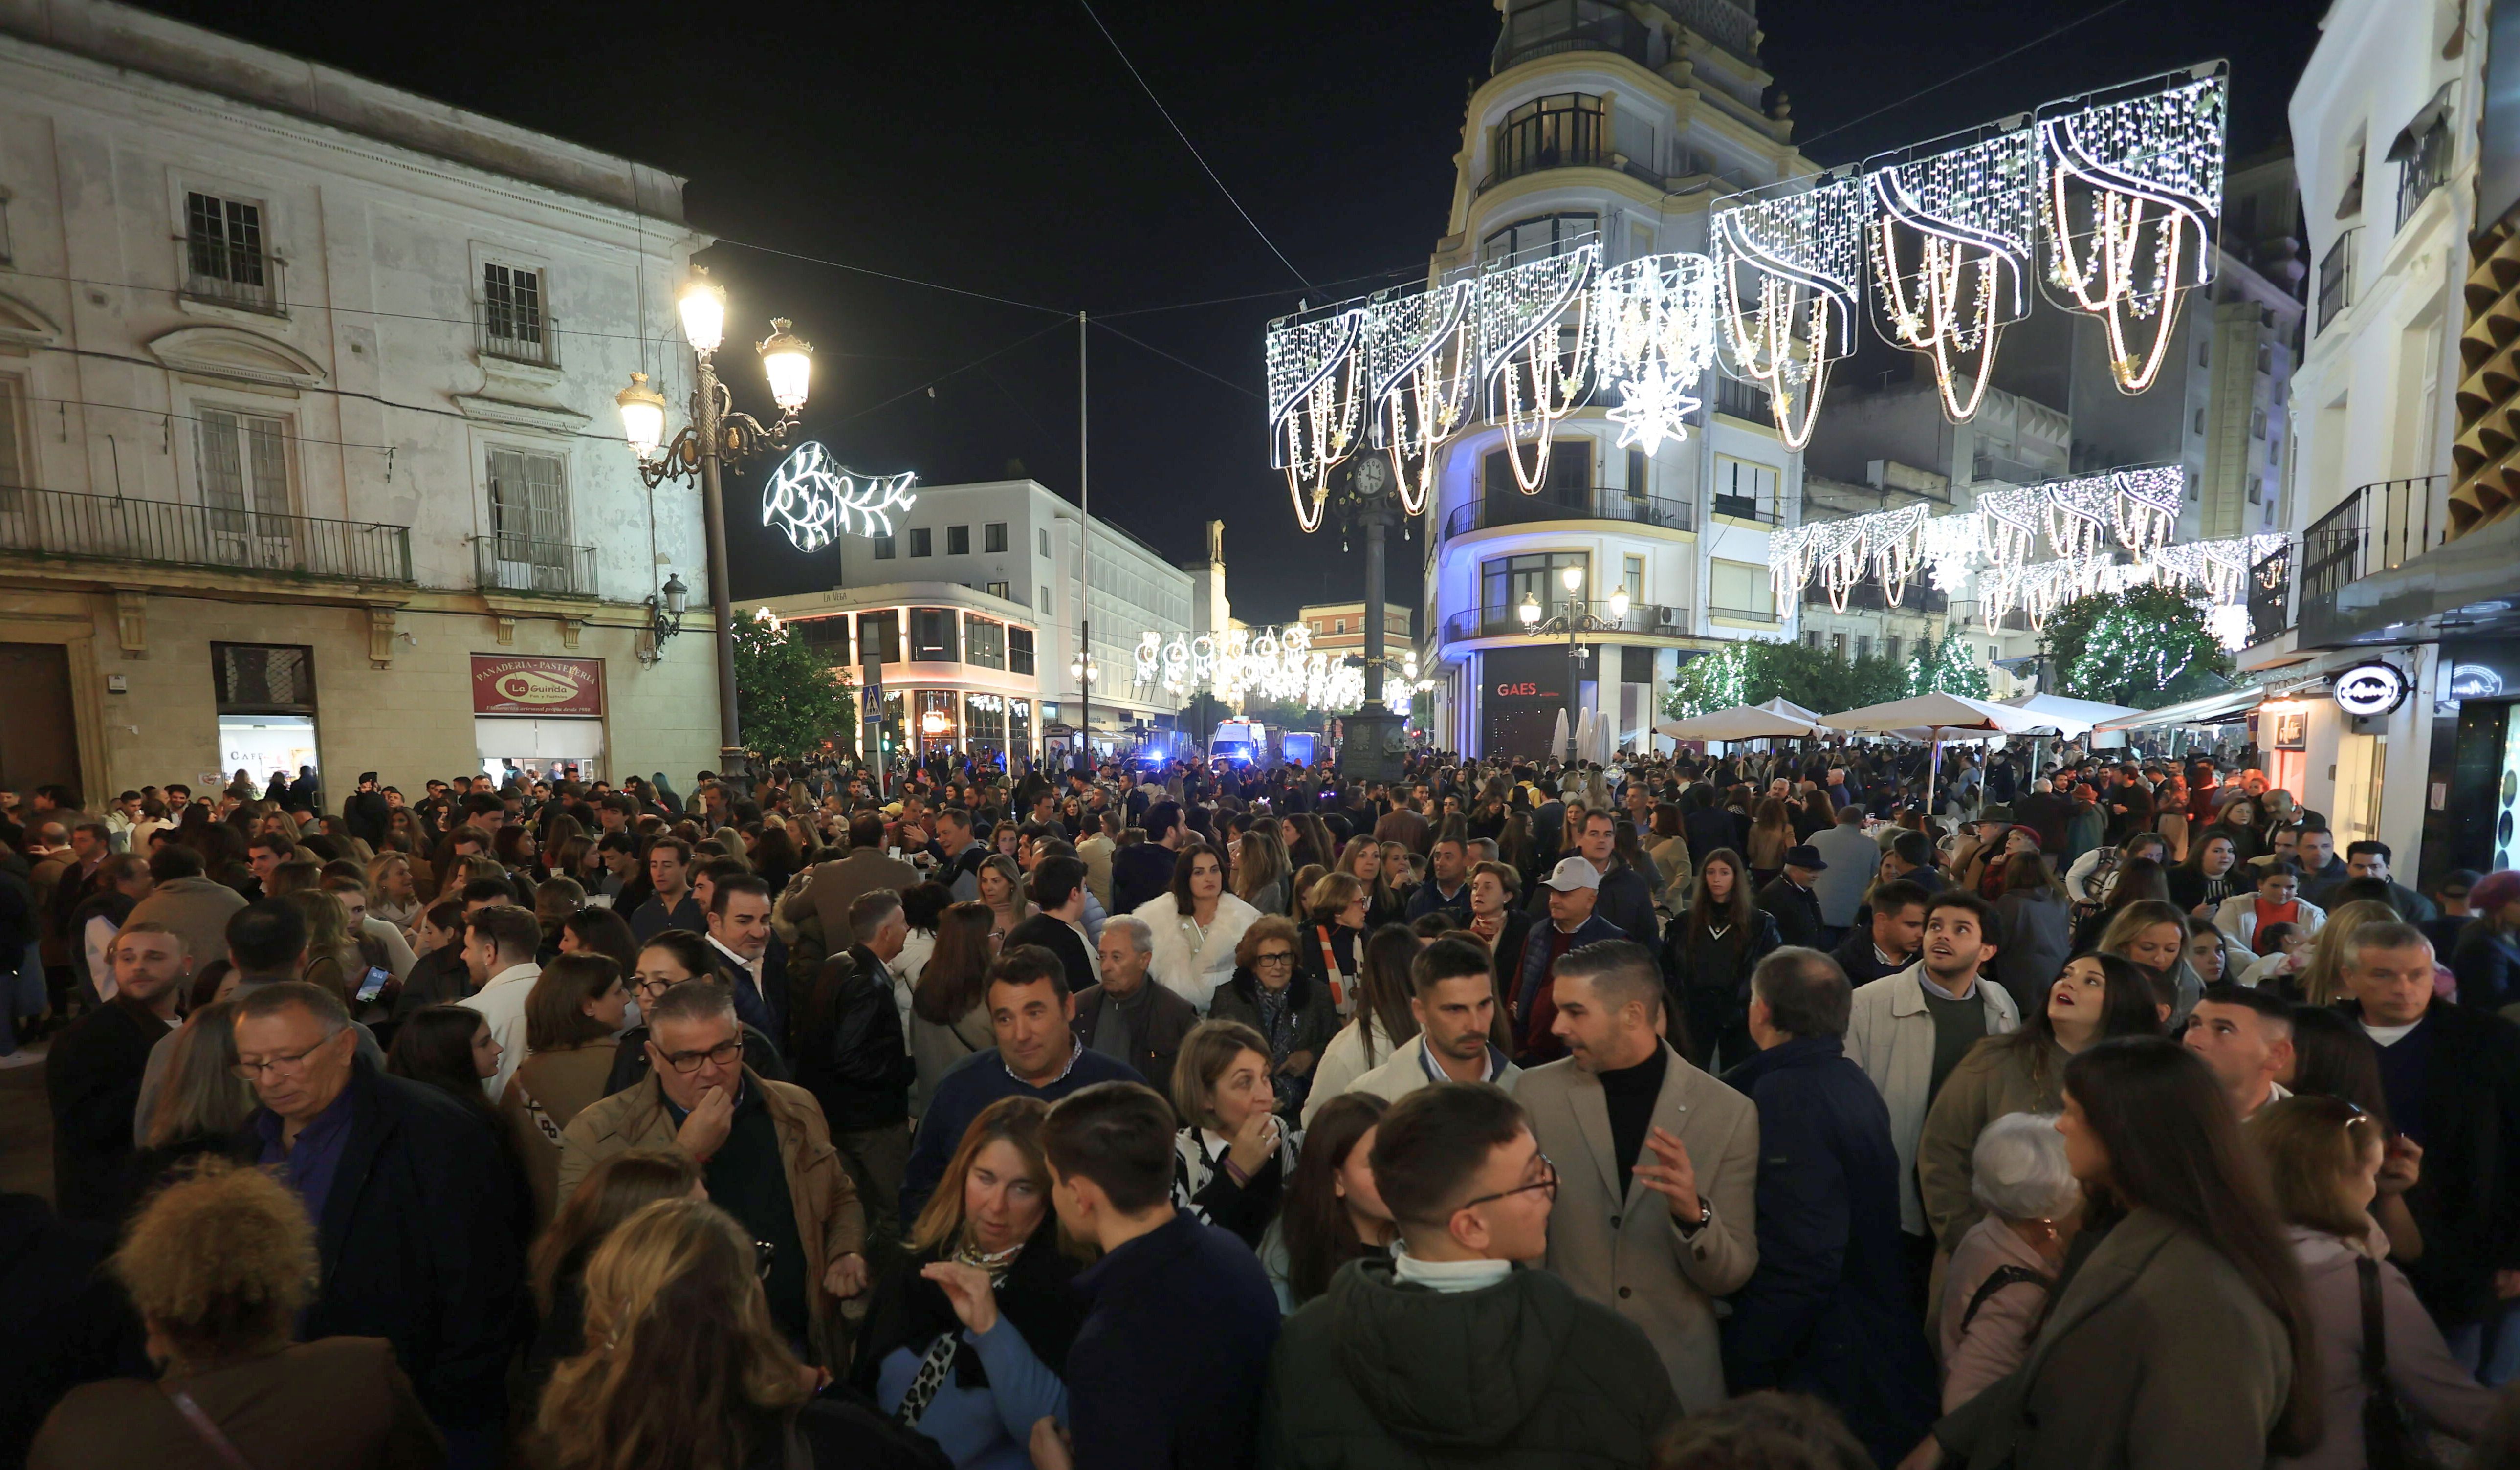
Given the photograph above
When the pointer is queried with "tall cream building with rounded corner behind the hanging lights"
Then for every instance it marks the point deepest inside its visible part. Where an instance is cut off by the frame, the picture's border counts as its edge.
(1609, 125)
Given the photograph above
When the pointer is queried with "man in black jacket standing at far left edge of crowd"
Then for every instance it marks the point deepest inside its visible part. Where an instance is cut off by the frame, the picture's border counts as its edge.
(94, 1073)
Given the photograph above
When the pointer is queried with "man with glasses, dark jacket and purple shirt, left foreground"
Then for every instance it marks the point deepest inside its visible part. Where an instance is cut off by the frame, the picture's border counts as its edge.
(415, 1219)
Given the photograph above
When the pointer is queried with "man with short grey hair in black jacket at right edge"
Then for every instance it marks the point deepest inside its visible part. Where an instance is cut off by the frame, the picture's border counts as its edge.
(2453, 1085)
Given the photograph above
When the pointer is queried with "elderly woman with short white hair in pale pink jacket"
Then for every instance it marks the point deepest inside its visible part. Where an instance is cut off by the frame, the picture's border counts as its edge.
(2007, 1265)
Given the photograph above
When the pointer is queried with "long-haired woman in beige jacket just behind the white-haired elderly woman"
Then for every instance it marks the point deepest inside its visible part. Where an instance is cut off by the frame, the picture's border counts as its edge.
(2093, 1000)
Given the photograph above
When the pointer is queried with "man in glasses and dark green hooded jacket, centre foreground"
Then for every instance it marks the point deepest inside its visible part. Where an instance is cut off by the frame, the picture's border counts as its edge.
(1372, 1373)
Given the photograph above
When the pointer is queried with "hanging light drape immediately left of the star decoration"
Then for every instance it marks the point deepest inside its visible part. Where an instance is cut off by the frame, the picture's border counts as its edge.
(1526, 316)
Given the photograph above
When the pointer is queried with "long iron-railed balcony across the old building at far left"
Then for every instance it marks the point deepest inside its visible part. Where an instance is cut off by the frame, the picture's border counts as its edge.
(107, 528)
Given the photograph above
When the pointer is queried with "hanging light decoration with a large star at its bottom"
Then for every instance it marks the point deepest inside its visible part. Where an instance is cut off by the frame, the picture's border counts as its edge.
(1654, 324)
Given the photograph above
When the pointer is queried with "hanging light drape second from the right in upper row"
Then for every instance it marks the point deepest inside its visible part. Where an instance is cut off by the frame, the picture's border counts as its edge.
(1952, 251)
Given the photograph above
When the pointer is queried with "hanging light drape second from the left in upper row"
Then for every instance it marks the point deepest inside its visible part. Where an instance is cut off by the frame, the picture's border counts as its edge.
(1423, 367)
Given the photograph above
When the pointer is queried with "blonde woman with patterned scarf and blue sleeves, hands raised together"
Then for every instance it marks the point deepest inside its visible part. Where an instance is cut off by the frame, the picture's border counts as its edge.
(969, 1338)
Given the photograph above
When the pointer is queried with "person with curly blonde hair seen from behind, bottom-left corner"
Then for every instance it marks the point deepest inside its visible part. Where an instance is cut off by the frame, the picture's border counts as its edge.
(220, 1267)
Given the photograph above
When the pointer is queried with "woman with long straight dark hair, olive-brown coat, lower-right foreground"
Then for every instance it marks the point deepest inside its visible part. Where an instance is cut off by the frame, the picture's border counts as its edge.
(2189, 1280)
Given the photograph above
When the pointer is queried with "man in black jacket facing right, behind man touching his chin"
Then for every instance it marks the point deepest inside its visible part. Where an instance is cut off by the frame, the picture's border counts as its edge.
(853, 1060)
